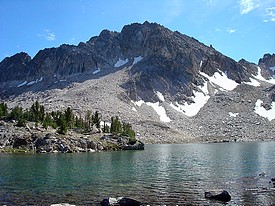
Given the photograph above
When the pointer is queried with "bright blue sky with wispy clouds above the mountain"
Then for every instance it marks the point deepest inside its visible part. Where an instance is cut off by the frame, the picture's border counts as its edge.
(237, 28)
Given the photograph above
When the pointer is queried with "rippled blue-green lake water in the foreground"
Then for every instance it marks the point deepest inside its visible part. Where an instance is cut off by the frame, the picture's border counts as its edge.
(171, 174)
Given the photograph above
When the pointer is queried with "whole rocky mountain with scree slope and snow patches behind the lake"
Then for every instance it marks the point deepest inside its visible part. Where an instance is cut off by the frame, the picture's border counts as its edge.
(168, 85)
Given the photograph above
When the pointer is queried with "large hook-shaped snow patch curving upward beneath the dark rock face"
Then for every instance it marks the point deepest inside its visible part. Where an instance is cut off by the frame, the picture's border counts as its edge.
(200, 99)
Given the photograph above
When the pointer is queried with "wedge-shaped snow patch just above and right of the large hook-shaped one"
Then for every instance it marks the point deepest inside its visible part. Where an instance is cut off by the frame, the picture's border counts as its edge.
(220, 79)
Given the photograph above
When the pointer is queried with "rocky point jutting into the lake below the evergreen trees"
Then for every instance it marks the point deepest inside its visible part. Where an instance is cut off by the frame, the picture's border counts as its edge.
(35, 139)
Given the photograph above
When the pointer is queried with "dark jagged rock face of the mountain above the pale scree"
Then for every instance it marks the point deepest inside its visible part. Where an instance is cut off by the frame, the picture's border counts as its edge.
(171, 61)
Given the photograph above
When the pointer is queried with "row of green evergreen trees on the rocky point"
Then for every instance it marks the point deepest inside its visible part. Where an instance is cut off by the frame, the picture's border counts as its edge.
(62, 121)
